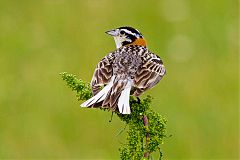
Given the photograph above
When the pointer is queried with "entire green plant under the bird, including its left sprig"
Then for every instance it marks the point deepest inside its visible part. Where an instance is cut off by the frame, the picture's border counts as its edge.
(141, 138)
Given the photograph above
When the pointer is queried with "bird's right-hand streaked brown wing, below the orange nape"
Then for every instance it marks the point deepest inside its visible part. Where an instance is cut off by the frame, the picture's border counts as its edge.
(149, 74)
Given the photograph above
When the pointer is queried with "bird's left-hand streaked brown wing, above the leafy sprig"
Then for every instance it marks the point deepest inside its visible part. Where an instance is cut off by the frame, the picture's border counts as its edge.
(102, 73)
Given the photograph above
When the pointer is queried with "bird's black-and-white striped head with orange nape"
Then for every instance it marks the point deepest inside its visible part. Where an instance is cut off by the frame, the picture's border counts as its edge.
(127, 36)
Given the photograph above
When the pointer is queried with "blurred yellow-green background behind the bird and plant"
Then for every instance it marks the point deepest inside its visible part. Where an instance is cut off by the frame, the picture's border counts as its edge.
(41, 118)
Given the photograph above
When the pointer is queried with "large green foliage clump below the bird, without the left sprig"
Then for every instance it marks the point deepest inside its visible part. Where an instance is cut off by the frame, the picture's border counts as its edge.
(135, 146)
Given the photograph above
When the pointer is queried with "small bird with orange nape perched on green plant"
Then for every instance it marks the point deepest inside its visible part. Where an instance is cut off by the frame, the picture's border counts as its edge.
(131, 69)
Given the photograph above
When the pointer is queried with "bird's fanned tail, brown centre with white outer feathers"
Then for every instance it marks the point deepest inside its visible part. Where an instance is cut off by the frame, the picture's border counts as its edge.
(115, 94)
